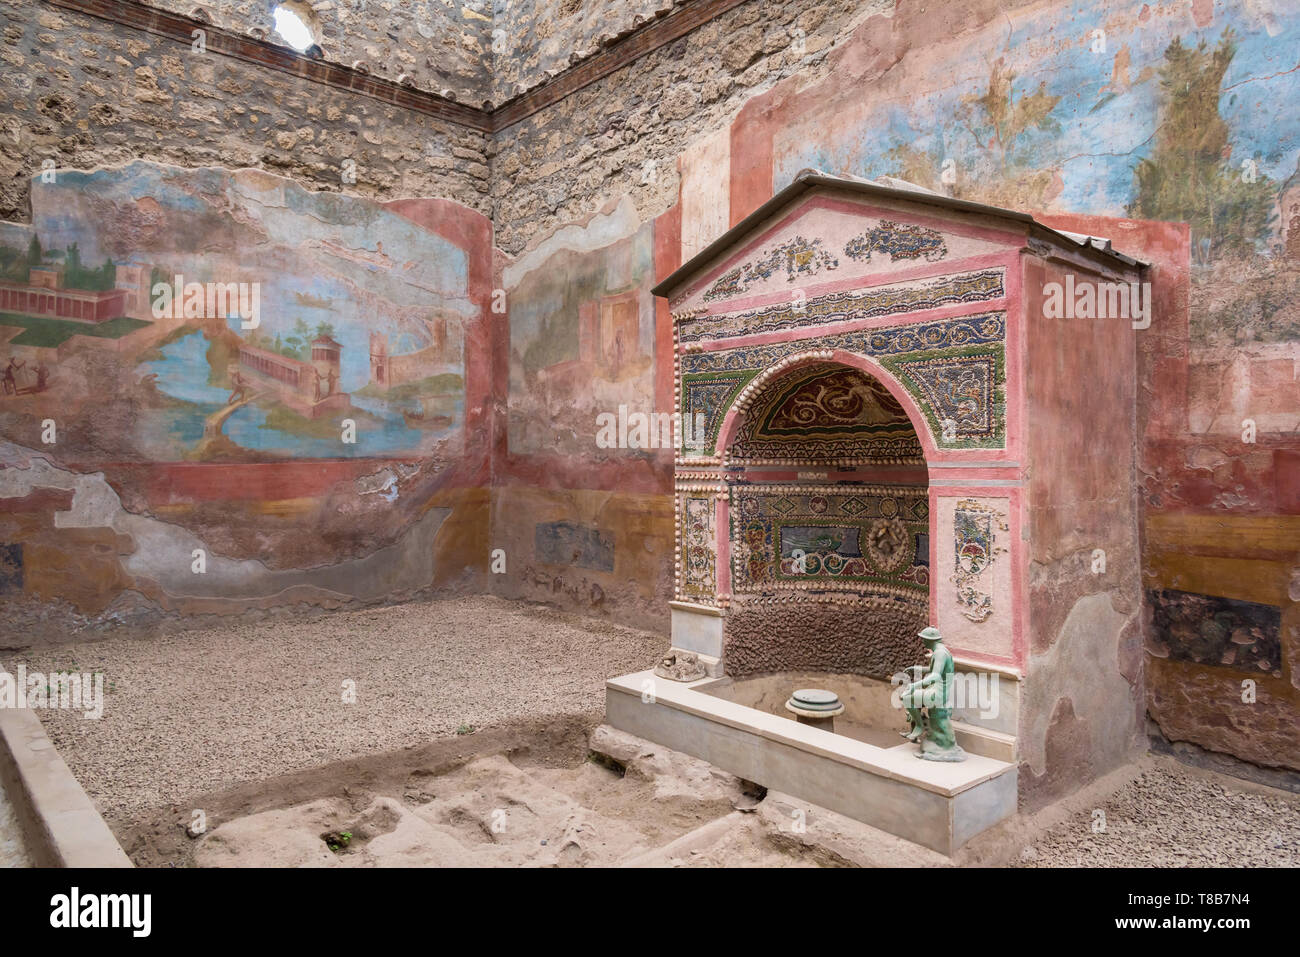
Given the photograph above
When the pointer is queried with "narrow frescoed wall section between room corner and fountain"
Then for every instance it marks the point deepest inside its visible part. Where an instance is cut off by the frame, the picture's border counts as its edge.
(580, 503)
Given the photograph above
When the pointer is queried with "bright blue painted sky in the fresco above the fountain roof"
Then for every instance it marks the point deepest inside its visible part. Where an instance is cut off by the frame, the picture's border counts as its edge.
(1103, 133)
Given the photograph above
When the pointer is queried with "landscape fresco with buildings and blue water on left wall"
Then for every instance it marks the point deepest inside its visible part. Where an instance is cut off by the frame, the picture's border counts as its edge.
(213, 315)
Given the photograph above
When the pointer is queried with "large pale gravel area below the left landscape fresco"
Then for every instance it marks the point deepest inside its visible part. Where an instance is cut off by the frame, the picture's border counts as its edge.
(213, 709)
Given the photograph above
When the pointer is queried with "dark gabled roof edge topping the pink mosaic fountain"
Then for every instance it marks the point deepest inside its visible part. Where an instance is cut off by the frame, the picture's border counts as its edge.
(886, 188)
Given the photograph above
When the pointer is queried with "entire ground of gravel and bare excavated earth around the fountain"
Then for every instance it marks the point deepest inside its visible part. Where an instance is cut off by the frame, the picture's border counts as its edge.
(250, 725)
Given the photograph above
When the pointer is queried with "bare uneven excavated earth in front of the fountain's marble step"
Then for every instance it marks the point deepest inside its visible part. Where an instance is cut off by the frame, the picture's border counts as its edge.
(639, 806)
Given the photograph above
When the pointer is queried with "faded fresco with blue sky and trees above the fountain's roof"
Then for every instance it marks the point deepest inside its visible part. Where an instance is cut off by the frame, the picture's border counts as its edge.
(1038, 114)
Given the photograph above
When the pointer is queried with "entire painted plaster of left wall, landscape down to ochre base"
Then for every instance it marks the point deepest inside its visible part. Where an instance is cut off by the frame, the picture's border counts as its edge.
(253, 391)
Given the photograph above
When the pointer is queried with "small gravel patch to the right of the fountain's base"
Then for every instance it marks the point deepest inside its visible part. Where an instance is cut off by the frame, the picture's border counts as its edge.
(1173, 816)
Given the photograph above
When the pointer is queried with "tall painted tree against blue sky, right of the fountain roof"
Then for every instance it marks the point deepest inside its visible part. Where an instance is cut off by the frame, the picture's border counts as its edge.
(1191, 176)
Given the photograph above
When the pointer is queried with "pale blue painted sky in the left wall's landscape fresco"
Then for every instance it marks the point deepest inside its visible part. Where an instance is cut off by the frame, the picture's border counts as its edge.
(283, 241)
